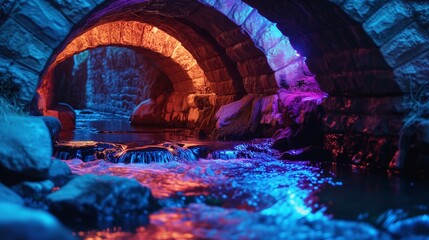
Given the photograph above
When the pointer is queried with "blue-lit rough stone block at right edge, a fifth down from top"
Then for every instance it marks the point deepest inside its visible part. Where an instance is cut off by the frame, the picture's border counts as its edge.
(405, 45)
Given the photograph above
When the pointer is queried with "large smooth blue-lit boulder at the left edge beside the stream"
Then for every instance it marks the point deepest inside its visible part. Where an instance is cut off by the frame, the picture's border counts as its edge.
(26, 149)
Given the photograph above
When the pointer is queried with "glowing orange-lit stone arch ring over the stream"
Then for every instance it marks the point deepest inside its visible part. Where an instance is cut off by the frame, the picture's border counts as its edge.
(169, 55)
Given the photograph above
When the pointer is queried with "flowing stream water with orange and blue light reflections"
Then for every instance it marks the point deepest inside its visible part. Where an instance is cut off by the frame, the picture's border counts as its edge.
(240, 190)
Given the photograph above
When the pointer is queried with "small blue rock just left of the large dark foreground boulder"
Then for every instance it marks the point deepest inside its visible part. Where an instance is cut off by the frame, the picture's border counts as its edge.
(33, 189)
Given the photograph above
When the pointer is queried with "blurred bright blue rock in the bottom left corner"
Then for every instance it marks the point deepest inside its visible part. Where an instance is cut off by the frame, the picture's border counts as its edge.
(18, 222)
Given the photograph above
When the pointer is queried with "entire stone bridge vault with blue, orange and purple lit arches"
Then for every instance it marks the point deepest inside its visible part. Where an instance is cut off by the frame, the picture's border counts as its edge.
(370, 57)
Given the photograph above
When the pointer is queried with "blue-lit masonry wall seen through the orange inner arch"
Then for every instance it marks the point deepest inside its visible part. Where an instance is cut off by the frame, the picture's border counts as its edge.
(109, 79)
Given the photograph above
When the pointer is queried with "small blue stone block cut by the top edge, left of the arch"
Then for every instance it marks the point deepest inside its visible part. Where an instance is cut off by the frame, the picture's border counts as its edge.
(74, 10)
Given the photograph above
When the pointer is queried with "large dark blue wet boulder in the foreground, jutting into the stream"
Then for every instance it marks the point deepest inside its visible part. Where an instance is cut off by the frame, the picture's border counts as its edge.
(101, 201)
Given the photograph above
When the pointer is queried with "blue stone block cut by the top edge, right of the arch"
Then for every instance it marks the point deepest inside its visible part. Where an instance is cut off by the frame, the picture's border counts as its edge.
(360, 10)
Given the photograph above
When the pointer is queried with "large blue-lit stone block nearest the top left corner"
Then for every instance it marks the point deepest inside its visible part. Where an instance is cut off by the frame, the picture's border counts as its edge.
(43, 20)
